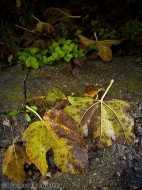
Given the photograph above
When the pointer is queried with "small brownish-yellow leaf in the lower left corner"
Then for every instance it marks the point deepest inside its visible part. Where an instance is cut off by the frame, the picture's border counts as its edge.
(13, 163)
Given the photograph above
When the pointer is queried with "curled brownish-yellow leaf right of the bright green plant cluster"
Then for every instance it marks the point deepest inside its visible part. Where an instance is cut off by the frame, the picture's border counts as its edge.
(103, 47)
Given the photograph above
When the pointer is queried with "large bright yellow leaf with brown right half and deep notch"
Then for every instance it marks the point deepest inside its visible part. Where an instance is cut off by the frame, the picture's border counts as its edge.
(59, 132)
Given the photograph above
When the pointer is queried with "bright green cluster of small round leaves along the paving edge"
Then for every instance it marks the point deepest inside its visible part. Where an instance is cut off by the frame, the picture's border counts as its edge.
(63, 49)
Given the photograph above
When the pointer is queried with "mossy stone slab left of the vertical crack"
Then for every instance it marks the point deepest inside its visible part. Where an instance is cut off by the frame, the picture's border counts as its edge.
(12, 88)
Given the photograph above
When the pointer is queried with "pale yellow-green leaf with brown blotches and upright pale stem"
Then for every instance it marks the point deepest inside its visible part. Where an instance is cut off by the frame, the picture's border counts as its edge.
(103, 121)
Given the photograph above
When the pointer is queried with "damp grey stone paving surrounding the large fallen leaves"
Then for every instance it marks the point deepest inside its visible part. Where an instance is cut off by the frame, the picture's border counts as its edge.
(116, 168)
